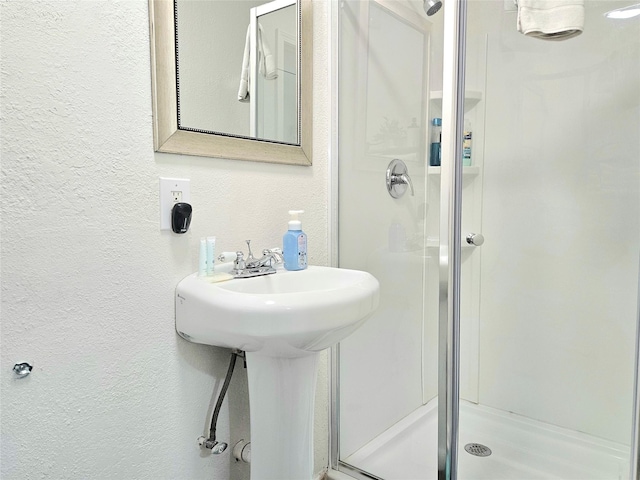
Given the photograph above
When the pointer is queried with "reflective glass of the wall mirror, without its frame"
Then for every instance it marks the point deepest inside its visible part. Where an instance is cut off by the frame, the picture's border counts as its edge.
(222, 46)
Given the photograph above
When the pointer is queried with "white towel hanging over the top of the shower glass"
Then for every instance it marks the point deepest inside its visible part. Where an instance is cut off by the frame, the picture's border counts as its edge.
(551, 19)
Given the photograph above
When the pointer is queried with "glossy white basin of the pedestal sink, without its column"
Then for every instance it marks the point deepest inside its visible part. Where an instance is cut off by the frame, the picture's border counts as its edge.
(286, 313)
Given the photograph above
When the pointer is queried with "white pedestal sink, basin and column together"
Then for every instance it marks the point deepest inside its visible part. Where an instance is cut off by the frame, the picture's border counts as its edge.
(281, 321)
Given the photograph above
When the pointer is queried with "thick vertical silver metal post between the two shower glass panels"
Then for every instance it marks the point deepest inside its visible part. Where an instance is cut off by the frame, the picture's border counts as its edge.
(450, 237)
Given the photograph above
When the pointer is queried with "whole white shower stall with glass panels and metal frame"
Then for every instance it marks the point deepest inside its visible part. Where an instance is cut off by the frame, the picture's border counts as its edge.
(505, 344)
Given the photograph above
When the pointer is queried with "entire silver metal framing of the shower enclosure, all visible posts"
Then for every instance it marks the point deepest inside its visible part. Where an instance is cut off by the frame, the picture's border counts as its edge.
(450, 250)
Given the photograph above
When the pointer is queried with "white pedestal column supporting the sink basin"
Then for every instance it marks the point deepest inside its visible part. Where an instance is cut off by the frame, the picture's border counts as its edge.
(281, 400)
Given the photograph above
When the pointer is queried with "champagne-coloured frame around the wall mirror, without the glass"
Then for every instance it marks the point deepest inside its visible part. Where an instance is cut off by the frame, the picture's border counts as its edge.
(167, 137)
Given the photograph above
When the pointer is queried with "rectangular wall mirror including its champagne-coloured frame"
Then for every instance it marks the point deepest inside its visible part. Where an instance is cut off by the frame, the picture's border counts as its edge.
(232, 79)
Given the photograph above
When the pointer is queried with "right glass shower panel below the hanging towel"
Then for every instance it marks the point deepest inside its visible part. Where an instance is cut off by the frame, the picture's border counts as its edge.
(549, 300)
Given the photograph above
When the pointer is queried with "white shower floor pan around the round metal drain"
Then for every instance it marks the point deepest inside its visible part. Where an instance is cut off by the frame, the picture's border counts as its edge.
(521, 449)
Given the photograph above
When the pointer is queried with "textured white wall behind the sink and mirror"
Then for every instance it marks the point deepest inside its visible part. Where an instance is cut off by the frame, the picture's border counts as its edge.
(88, 277)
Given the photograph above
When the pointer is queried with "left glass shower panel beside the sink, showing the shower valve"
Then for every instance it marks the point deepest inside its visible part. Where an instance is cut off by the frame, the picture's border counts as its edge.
(383, 112)
